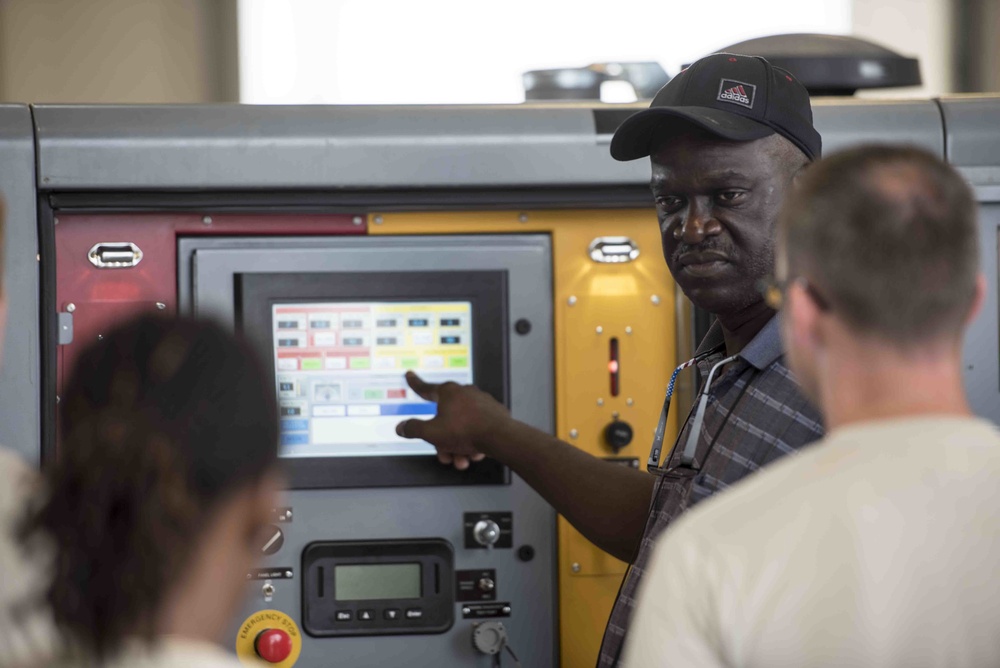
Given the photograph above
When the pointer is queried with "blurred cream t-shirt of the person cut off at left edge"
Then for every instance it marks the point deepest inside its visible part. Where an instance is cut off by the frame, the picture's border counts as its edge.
(27, 634)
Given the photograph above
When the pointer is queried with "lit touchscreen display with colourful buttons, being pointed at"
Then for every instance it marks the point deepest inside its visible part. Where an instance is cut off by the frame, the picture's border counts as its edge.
(339, 371)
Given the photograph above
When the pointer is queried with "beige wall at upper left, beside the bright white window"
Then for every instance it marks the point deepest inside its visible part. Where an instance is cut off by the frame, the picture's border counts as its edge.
(118, 51)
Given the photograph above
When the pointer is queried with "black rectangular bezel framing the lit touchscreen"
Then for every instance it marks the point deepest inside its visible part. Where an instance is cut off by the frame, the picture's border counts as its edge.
(487, 292)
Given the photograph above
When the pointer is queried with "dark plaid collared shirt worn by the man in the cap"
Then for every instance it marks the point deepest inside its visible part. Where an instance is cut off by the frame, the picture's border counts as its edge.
(756, 413)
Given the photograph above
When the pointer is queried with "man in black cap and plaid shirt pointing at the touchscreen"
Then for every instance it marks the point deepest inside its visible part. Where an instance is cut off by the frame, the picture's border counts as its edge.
(726, 138)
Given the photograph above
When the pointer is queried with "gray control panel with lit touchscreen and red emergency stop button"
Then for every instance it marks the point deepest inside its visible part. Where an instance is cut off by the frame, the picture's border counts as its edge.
(381, 554)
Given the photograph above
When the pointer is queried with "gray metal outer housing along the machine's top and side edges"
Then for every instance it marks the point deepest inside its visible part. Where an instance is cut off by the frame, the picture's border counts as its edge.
(320, 158)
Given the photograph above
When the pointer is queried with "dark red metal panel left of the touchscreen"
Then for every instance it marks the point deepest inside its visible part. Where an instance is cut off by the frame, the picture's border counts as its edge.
(104, 297)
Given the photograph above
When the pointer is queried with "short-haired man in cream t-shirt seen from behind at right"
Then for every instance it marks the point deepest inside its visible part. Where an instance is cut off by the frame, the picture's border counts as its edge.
(878, 545)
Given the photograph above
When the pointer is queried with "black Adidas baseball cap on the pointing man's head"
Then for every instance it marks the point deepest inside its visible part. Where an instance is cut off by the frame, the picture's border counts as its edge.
(735, 97)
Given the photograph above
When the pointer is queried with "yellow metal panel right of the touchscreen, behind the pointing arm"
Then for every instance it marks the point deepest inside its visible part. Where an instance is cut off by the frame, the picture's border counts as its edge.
(633, 302)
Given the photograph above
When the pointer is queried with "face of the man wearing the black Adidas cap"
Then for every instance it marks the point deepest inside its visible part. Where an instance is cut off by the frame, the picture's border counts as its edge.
(717, 202)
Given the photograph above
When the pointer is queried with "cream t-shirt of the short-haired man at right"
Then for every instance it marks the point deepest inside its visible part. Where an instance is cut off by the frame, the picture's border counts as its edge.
(878, 546)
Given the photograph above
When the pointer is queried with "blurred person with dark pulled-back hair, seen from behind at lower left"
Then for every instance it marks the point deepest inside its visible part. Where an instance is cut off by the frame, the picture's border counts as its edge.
(167, 472)
